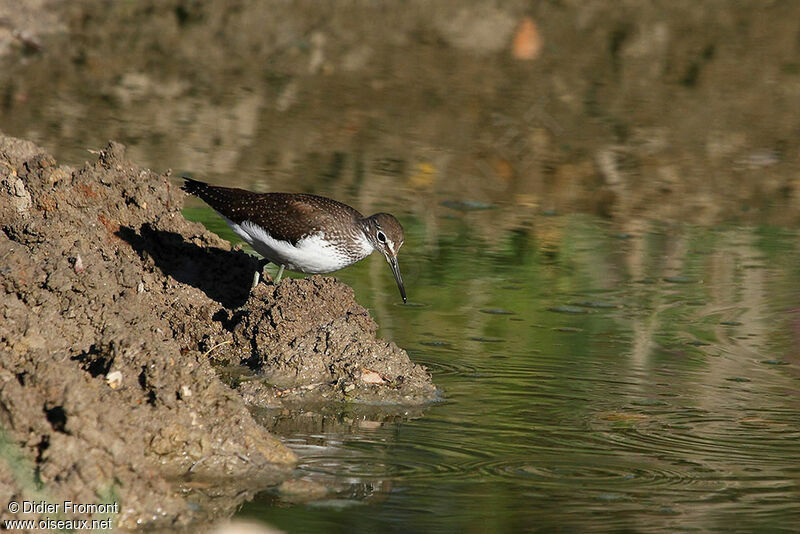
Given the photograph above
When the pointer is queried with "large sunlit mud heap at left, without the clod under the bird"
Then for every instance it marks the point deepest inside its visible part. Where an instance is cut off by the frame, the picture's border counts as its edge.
(97, 399)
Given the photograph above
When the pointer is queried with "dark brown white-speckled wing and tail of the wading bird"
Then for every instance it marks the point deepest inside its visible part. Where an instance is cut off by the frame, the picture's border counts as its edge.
(285, 216)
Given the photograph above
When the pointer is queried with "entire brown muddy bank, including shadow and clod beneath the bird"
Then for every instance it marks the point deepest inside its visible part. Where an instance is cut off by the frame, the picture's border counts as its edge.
(115, 311)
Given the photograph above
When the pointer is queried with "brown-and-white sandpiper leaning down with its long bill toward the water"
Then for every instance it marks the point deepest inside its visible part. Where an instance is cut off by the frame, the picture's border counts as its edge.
(303, 232)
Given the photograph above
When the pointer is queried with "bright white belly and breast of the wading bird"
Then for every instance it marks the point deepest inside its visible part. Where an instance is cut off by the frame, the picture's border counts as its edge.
(312, 254)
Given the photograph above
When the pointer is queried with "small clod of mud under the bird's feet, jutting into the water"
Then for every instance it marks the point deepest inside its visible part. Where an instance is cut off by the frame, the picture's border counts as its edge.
(309, 339)
